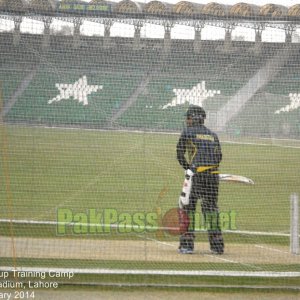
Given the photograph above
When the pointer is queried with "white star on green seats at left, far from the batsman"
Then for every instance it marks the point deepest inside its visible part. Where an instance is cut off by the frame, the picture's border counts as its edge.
(79, 91)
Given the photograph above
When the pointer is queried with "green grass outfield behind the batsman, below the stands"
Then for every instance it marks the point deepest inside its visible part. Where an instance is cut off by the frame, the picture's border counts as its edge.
(136, 173)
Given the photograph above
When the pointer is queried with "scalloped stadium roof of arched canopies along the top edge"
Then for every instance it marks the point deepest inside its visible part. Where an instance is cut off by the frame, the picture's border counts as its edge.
(184, 8)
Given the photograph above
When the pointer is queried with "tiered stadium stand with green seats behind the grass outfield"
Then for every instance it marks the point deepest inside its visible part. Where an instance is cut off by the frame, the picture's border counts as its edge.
(138, 82)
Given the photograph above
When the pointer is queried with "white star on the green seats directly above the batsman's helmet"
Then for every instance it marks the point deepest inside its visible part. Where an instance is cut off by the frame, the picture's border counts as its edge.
(196, 95)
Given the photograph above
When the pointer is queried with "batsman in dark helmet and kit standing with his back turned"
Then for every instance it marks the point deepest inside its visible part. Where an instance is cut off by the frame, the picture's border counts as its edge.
(199, 153)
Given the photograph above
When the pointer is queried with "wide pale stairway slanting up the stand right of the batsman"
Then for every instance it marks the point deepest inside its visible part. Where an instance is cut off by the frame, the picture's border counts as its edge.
(260, 79)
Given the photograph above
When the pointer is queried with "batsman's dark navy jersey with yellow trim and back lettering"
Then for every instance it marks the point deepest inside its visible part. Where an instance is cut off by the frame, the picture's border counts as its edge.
(199, 149)
